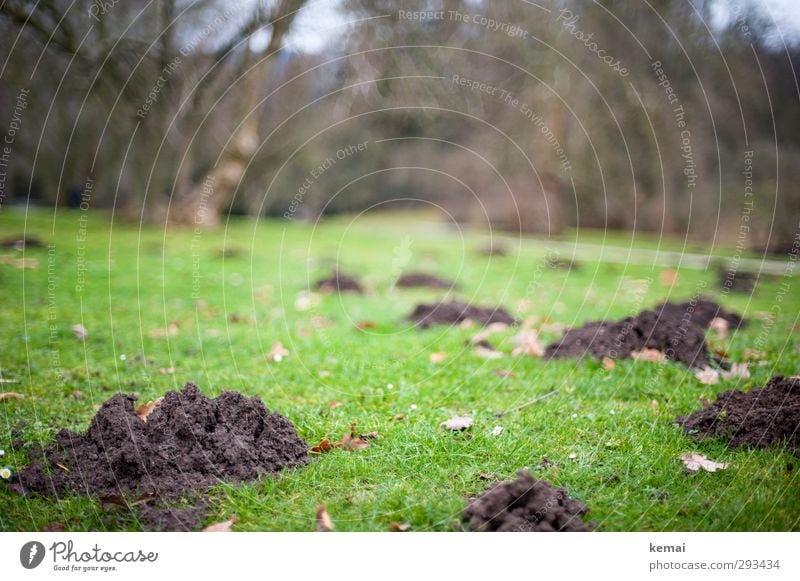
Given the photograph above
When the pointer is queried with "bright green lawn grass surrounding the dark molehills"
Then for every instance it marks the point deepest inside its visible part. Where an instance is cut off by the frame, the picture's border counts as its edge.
(626, 465)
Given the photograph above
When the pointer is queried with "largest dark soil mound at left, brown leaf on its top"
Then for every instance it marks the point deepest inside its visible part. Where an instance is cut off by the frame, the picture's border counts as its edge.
(188, 442)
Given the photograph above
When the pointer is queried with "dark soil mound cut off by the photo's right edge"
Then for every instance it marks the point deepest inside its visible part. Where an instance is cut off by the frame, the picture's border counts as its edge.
(759, 418)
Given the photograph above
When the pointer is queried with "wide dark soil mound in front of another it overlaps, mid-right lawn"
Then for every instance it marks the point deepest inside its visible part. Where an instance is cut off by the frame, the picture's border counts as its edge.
(667, 332)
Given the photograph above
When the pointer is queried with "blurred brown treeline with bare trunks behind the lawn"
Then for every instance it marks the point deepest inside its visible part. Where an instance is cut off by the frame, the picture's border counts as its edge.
(184, 111)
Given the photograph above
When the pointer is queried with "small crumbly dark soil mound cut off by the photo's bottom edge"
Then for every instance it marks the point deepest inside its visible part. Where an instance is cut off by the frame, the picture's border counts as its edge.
(525, 505)
